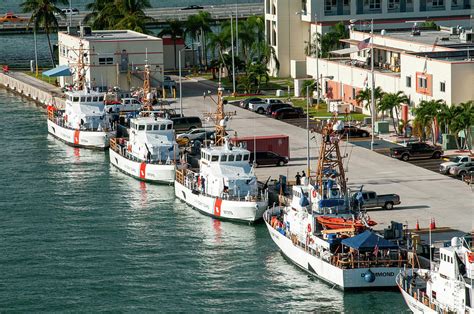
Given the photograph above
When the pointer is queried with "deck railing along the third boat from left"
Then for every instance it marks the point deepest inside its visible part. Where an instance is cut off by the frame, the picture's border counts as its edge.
(188, 178)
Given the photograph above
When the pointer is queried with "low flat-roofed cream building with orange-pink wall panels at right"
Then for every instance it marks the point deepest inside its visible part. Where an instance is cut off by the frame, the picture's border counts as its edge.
(431, 65)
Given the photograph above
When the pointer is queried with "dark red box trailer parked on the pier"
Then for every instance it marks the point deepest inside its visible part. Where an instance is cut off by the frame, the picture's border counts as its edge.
(279, 144)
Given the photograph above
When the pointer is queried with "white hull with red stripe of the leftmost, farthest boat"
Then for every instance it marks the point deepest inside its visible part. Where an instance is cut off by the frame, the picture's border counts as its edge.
(78, 138)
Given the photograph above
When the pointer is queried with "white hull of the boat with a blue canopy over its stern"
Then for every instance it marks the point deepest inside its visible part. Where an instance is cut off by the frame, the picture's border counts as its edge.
(344, 279)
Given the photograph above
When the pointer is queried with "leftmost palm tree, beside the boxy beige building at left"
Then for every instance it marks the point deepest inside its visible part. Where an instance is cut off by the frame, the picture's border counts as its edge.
(43, 15)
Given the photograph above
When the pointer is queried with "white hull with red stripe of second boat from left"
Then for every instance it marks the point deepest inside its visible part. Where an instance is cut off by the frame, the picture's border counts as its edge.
(155, 173)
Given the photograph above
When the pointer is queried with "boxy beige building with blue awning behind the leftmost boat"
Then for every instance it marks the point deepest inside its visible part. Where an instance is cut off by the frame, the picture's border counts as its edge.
(112, 58)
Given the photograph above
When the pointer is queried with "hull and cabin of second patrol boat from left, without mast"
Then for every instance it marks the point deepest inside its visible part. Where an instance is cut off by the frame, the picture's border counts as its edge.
(149, 153)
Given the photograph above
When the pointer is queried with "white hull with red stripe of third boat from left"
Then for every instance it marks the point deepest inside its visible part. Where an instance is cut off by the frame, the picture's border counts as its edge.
(245, 211)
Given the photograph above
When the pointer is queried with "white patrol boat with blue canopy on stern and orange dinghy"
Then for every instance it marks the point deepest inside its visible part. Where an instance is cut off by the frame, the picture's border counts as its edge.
(335, 253)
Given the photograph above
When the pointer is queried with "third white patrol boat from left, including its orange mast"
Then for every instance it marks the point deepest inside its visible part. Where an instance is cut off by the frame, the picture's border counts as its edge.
(224, 186)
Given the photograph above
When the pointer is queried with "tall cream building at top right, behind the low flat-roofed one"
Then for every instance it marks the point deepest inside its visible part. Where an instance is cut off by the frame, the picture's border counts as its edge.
(289, 21)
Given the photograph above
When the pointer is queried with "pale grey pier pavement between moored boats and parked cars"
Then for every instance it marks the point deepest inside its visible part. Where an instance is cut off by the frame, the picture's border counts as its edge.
(425, 194)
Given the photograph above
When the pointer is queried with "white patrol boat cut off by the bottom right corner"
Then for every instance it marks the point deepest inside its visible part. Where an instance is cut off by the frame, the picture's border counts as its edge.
(447, 287)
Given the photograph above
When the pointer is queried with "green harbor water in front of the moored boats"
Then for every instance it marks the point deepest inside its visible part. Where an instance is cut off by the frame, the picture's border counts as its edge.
(78, 235)
